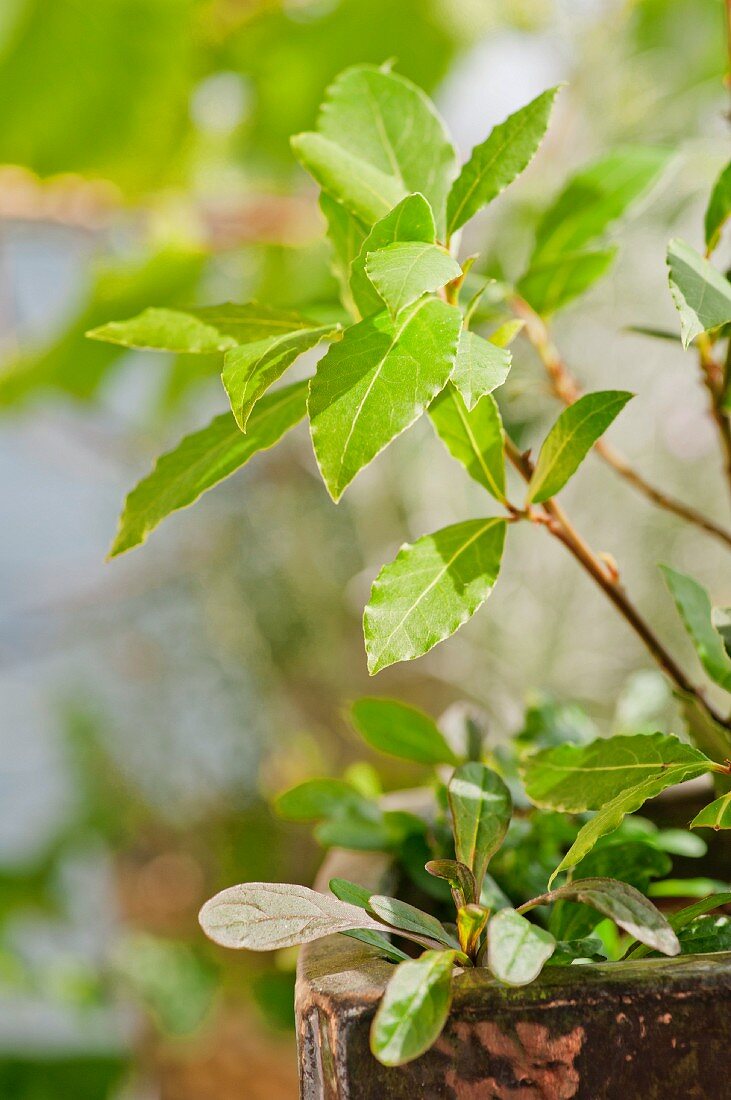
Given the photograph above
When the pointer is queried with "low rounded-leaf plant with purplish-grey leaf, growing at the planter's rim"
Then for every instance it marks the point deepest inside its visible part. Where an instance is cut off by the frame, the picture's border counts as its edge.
(475, 845)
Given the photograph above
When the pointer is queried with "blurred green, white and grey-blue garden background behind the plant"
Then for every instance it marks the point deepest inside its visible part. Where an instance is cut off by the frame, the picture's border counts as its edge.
(151, 707)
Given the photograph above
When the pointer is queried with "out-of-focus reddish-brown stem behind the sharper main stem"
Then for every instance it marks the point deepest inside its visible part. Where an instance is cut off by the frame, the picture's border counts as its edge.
(568, 390)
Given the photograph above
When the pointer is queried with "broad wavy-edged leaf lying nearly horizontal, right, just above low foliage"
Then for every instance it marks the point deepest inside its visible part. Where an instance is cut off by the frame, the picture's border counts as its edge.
(573, 778)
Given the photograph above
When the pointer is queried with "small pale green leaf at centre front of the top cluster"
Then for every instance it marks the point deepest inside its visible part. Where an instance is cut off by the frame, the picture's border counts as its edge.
(404, 271)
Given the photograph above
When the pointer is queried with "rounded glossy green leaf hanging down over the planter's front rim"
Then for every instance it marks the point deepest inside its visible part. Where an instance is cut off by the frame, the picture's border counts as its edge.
(414, 1010)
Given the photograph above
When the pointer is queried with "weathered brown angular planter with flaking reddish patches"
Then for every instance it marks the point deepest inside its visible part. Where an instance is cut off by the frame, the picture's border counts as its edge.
(632, 1031)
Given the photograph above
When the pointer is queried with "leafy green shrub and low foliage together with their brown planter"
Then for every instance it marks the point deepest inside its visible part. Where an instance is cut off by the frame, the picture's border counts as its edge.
(407, 345)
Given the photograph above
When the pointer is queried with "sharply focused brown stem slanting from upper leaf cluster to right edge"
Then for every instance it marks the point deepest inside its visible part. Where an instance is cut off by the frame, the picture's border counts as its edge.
(606, 576)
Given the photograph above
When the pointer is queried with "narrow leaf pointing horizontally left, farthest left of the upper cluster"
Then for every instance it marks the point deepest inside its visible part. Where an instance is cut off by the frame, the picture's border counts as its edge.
(202, 332)
